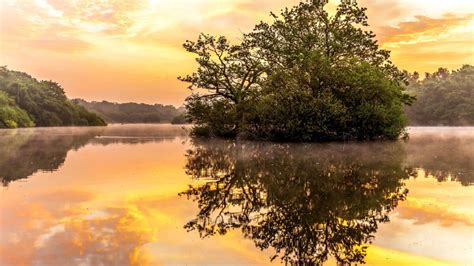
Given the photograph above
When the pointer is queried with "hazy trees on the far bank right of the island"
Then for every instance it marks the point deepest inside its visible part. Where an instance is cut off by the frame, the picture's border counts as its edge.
(443, 98)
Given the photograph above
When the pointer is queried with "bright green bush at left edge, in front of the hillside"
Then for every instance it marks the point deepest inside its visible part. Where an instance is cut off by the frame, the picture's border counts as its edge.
(12, 116)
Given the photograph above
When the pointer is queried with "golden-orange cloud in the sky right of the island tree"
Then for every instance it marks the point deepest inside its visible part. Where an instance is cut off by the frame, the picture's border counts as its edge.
(425, 44)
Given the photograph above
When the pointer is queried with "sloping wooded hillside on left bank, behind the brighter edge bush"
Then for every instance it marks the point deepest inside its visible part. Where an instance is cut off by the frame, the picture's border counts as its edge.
(44, 101)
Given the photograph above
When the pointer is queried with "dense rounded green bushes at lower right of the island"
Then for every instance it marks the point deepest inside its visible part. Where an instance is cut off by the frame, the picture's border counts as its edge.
(324, 102)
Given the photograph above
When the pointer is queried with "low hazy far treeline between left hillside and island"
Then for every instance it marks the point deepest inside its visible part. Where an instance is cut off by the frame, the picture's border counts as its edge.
(135, 112)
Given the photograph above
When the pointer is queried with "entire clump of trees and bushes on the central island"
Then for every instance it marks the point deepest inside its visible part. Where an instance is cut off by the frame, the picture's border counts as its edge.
(307, 76)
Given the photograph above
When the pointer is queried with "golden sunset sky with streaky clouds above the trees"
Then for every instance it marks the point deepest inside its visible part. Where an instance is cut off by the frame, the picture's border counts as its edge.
(131, 50)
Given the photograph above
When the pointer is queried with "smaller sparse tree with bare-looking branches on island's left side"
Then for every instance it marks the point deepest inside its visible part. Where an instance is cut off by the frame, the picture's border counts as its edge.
(230, 75)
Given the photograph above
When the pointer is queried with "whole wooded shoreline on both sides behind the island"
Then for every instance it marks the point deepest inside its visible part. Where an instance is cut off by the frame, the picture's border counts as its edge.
(444, 98)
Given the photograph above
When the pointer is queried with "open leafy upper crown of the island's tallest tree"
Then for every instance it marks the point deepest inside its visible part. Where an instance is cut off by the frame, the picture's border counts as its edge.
(308, 27)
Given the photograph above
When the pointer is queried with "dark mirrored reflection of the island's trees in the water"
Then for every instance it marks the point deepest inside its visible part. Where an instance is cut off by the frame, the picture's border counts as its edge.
(306, 202)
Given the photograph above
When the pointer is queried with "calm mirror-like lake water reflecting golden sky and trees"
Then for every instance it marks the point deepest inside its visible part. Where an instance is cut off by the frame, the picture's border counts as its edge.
(149, 195)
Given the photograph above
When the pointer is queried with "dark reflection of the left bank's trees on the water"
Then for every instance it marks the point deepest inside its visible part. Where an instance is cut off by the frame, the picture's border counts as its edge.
(27, 151)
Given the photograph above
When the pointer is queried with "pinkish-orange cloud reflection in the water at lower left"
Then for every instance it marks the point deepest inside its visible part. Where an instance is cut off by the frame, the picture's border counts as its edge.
(41, 234)
